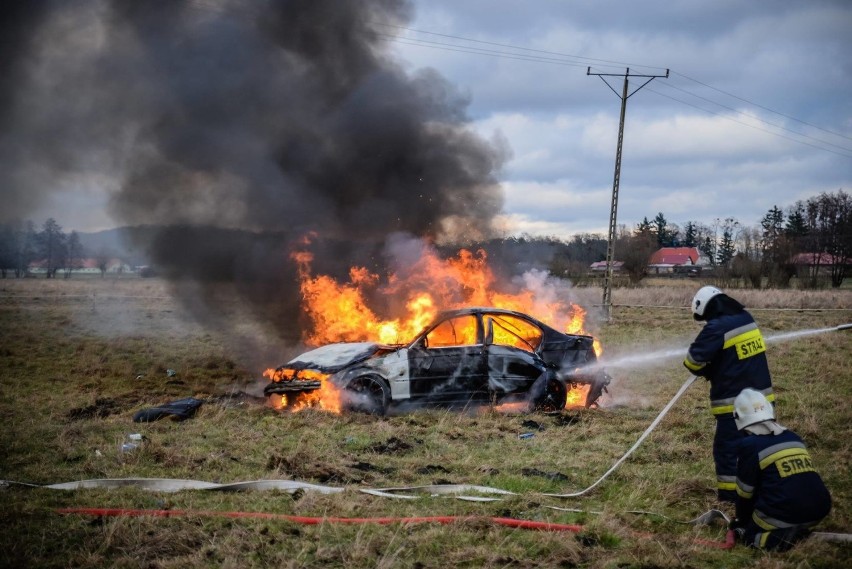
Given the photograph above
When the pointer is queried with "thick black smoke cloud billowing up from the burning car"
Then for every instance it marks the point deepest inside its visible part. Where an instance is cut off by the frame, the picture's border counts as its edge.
(234, 128)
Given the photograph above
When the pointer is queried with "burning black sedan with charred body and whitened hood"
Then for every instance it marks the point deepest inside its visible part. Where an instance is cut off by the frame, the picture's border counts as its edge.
(471, 356)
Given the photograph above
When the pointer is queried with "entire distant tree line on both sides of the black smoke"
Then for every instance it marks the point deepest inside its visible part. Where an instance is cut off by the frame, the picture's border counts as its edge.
(769, 254)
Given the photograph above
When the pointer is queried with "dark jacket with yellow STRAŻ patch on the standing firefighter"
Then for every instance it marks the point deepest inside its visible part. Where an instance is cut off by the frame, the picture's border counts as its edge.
(730, 352)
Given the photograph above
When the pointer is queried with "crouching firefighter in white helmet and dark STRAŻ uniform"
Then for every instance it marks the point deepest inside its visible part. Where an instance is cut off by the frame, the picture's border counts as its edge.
(779, 494)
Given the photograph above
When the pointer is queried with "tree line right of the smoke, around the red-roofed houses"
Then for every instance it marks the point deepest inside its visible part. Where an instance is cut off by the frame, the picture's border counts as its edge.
(807, 240)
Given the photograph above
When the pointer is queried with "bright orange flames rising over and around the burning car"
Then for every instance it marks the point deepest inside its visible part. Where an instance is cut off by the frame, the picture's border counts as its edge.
(341, 312)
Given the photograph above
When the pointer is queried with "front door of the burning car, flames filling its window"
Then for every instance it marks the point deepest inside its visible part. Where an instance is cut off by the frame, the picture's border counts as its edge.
(447, 365)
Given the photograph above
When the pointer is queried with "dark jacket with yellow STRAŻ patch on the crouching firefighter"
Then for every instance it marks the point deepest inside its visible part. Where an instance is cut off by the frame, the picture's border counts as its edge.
(777, 486)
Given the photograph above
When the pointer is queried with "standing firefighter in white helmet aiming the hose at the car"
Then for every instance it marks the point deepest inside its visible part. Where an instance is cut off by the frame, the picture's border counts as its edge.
(730, 353)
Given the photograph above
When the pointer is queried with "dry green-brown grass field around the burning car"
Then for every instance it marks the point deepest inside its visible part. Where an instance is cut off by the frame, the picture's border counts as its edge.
(79, 358)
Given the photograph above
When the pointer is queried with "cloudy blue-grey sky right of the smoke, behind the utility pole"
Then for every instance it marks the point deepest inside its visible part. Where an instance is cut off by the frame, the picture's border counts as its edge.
(756, 111)
